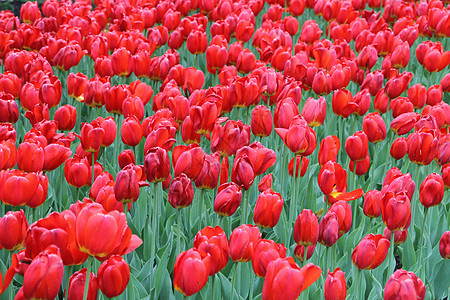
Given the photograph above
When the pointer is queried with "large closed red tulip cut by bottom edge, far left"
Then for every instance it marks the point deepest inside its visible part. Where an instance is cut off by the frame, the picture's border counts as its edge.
(43, 277)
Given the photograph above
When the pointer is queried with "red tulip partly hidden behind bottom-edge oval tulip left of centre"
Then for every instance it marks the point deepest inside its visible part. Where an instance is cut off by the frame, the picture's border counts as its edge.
(213, 241)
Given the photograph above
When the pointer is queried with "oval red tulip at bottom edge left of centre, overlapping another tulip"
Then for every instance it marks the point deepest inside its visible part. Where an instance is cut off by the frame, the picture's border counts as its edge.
(191, 271)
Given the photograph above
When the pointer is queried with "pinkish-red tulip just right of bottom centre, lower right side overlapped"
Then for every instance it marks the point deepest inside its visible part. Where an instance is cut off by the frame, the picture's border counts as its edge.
(241, 242)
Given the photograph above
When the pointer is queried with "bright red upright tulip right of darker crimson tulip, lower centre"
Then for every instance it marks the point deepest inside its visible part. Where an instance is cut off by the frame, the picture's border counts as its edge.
(268, 209)
